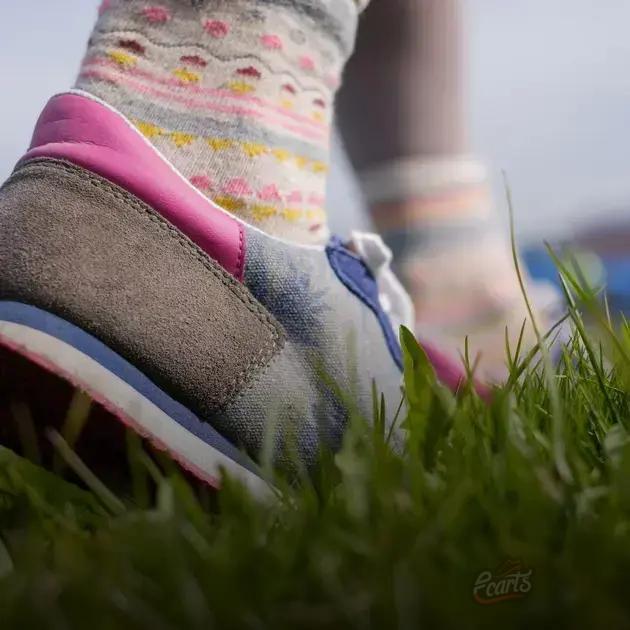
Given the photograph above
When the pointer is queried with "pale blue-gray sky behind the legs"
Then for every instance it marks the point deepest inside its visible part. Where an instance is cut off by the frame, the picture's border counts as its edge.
(549, 101)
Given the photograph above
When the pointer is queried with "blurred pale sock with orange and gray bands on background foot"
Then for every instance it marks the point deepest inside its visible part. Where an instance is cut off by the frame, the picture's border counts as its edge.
(455, 258)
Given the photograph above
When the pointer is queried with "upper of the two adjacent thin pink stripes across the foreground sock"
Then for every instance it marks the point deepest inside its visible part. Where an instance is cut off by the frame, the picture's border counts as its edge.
(216, 92)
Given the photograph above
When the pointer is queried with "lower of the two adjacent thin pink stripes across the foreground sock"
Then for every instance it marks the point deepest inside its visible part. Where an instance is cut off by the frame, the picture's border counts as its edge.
(234, 110)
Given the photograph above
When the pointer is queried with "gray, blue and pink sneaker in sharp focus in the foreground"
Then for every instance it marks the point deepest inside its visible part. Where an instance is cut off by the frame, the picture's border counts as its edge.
(198, 331)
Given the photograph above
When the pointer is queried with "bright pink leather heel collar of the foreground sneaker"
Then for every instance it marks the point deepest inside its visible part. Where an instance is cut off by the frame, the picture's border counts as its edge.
(84, 132)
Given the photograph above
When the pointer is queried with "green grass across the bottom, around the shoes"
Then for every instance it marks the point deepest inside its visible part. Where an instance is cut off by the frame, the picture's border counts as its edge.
(376, 538)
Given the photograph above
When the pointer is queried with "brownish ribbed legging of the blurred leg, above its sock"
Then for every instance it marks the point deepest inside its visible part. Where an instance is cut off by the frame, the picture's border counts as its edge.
(404, 83)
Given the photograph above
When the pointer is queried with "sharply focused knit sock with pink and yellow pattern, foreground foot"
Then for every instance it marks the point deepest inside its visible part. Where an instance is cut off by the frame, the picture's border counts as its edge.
(237, 94)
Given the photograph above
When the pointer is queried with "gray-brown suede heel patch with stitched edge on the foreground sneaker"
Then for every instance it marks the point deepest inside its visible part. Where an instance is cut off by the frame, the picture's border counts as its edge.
(88, 251)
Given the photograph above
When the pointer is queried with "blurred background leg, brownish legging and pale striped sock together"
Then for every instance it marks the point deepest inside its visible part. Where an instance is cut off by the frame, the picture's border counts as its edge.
(403, 116)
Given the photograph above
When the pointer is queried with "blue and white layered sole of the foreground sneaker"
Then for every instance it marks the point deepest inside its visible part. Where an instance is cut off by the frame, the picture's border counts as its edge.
(63, 349)
